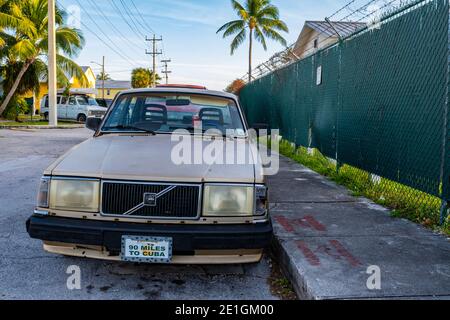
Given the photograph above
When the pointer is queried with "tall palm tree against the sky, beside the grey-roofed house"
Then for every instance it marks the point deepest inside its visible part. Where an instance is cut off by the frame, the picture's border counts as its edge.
(262, 20)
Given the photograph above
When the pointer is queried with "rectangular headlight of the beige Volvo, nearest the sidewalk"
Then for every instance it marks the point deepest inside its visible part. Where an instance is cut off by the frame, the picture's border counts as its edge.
(228, 200)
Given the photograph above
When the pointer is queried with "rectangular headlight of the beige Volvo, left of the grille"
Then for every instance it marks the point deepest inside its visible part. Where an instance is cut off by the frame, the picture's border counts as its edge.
(74, 195)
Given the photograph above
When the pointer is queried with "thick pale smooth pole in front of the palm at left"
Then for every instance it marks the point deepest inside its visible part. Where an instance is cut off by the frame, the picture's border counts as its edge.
(52, 84)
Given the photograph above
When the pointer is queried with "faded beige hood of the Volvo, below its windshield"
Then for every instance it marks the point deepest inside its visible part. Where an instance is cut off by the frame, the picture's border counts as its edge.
(148, 158)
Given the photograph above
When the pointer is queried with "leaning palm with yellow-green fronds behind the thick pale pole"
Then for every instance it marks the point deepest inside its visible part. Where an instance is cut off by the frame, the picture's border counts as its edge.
(25, 47)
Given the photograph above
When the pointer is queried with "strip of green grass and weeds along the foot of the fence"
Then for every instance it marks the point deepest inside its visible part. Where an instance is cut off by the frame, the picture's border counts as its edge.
(405, 202)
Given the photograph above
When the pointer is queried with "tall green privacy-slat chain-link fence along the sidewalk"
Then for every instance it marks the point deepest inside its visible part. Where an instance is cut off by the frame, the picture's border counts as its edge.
(382, 103)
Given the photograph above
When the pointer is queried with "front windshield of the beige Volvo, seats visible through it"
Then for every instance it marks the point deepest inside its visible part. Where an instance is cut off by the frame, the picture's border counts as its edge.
(165, 113)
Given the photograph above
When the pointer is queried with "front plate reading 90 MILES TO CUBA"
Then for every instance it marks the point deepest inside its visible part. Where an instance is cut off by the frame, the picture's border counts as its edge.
(146, 249)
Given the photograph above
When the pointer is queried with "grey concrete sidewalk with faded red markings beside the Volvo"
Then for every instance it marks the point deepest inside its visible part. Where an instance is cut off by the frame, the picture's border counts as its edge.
(326, 240)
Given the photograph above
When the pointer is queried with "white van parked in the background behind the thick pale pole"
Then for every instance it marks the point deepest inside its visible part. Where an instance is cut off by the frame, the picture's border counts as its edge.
(74, 107)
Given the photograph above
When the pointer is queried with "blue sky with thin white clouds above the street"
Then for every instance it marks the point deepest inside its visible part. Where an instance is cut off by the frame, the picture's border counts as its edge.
(188, 28)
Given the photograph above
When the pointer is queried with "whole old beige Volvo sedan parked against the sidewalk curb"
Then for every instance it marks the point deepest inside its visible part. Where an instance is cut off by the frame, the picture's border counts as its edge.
(170, 176)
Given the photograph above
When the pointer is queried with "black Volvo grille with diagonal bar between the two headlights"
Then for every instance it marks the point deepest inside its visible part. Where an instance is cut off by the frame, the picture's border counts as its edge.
(170, 201)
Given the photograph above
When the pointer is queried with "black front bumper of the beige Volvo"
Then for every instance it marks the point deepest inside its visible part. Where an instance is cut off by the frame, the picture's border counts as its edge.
(187, 239)
